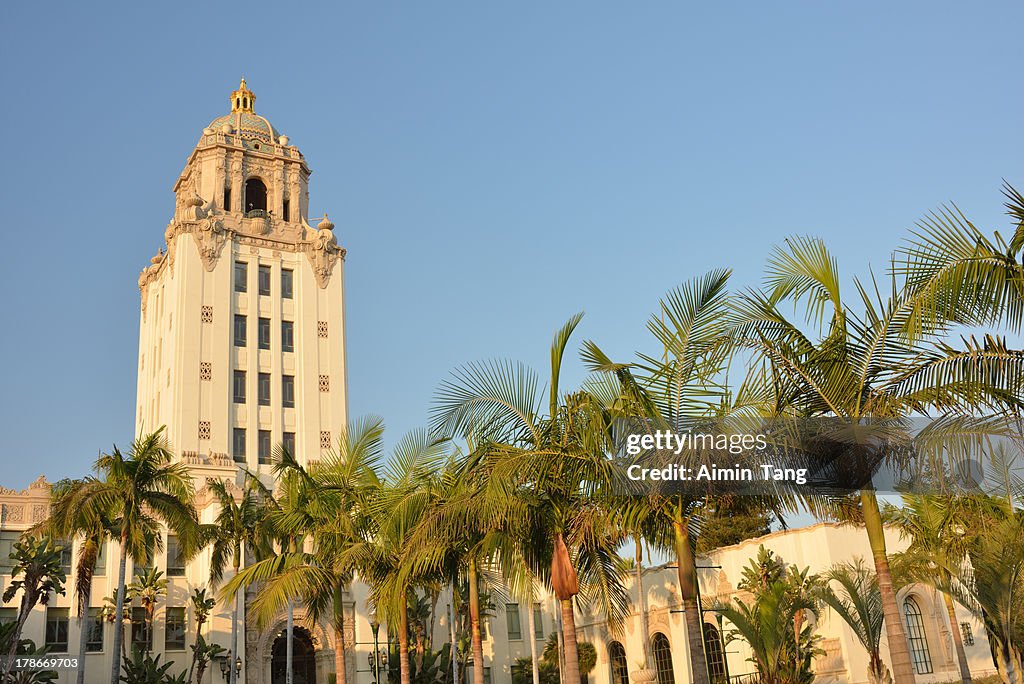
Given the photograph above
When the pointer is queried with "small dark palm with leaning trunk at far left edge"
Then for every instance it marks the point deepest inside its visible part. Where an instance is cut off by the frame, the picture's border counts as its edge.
(38, 572)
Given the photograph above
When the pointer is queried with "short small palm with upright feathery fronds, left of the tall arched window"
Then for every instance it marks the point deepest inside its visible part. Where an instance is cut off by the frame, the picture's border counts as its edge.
(859, 604)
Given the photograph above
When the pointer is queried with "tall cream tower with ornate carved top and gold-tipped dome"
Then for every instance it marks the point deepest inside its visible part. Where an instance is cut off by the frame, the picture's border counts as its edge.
(242, 343)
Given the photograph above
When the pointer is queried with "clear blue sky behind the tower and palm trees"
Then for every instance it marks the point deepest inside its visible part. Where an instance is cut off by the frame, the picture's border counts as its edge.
(492, 168)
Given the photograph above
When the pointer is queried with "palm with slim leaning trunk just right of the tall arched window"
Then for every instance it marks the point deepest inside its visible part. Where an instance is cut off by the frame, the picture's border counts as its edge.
(932, 524)
